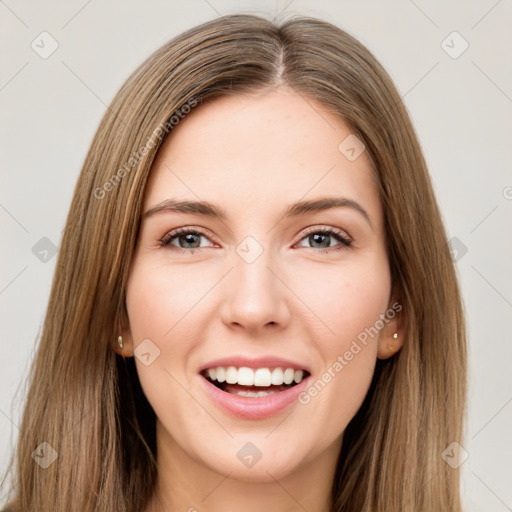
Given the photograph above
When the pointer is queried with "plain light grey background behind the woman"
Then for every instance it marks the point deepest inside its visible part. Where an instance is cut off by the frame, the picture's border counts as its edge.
(461, 108)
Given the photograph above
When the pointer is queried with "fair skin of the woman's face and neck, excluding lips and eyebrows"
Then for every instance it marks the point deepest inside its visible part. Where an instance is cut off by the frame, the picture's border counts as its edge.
(301, 299)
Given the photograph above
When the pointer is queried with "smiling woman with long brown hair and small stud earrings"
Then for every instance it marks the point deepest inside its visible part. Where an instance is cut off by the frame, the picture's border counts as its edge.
(200, 351)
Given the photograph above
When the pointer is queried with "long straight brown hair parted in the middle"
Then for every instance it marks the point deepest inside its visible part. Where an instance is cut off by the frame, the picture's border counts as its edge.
(86, 402)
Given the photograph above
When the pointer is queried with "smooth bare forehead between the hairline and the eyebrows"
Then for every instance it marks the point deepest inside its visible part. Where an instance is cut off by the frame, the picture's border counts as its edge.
(258, 151)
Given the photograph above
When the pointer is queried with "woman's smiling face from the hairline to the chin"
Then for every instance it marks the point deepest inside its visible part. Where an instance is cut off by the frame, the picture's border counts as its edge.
(260, 287)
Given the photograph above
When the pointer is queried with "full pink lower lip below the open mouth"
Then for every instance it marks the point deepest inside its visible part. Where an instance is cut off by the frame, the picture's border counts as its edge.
(253, 408)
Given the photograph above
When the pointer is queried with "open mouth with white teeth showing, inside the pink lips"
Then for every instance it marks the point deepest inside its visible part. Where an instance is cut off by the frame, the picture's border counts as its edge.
(254, 382)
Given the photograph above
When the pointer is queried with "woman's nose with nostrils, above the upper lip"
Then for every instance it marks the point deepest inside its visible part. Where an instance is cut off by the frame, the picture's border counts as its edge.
(256, 297)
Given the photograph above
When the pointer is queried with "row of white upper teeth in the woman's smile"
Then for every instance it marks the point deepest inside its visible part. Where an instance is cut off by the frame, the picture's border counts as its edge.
(259, 377)
